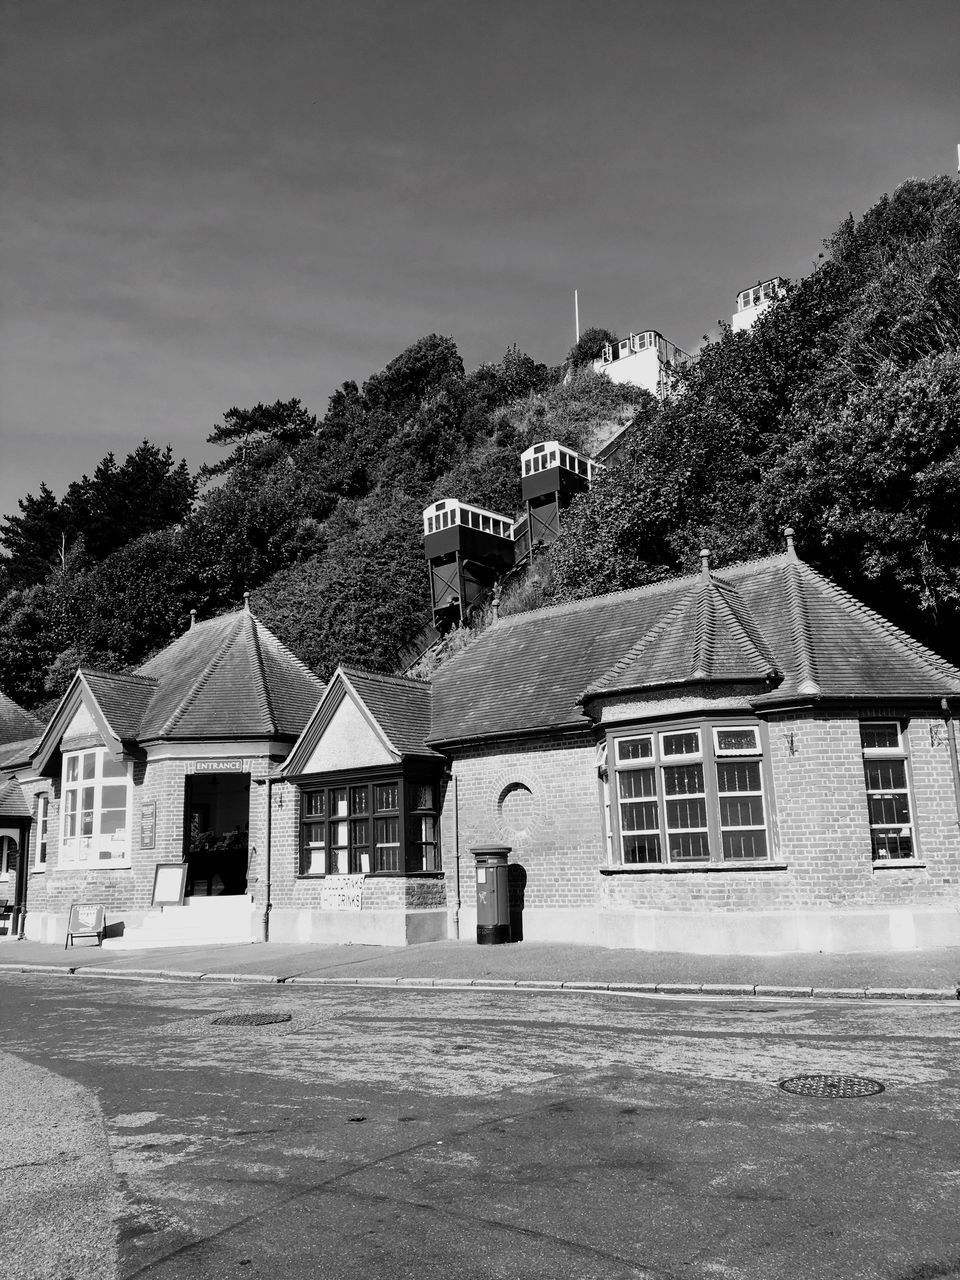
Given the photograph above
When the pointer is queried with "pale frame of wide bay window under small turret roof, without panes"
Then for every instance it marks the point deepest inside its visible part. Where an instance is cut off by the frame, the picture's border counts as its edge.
(716, 831)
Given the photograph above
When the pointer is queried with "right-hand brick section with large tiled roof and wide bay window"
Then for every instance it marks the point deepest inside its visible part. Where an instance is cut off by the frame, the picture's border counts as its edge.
(738, 761)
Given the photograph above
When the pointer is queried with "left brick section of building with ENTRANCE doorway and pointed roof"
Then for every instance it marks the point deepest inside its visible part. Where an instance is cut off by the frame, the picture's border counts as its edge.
(163, 767)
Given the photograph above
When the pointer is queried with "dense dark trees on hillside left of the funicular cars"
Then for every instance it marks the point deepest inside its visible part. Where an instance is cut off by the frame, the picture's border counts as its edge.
(318, 518)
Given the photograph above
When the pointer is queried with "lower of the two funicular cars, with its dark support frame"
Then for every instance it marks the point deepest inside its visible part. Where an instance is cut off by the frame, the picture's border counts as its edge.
(468, 548)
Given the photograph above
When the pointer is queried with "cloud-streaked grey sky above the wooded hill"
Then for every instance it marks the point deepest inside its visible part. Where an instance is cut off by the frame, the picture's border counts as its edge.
(217, 203)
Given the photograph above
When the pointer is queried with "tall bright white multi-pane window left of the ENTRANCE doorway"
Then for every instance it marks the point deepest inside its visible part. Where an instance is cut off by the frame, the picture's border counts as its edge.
(97, 806)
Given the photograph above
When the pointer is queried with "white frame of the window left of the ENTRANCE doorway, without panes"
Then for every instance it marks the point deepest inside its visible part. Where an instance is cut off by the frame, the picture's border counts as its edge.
(94, 851)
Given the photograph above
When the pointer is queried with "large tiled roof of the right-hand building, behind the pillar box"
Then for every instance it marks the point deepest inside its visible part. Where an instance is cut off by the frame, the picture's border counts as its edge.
(775, 623)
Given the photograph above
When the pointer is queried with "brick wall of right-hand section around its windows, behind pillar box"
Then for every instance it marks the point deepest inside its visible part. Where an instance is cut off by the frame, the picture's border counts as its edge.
(819, 817)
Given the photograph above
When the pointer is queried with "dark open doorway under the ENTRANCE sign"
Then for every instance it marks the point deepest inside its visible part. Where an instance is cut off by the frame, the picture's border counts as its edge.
(217, 835)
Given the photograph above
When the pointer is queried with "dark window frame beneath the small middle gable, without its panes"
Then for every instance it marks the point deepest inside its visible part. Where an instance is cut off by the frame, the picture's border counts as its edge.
(404, 815)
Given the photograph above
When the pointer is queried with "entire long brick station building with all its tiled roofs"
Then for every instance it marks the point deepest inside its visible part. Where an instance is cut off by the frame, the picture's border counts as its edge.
(737, 761)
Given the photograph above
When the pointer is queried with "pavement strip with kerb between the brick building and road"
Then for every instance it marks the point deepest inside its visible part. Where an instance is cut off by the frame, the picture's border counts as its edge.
(904, 975)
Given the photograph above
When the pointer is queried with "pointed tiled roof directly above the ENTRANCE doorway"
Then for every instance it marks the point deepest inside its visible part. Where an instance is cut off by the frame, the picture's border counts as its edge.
(228, 678)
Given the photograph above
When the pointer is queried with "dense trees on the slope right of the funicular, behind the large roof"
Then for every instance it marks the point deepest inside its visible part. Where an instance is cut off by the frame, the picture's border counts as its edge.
(839, 413)
